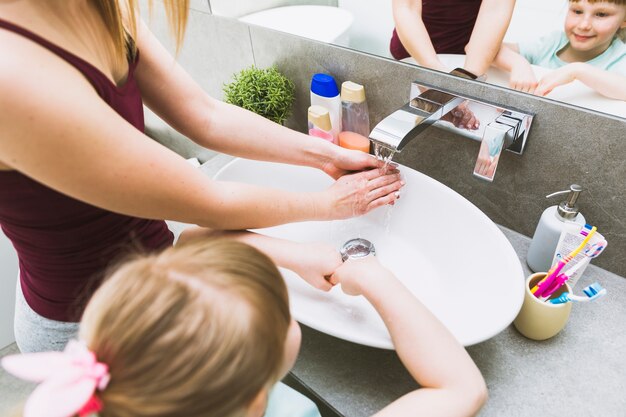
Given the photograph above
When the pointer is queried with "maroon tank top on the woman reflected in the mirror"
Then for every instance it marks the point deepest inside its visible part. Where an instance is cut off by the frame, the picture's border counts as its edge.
(449, 24)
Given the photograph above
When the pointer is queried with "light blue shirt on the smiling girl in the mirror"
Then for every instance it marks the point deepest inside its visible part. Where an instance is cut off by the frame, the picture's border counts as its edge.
(542, 52)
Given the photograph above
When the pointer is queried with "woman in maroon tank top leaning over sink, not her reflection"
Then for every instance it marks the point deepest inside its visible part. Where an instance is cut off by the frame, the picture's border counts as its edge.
(80, 182)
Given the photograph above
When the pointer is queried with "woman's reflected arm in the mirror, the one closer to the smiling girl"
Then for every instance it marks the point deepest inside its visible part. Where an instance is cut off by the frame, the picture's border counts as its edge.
(491, 24)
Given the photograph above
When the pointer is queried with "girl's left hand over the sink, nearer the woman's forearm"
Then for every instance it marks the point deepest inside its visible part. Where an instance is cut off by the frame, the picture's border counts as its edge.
(315, 263)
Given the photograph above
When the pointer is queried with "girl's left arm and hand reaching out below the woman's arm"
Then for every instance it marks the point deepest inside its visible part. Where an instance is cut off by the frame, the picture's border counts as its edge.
(313, 262)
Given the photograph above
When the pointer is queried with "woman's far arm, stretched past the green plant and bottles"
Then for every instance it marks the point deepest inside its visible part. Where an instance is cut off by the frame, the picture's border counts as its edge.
(173, 95)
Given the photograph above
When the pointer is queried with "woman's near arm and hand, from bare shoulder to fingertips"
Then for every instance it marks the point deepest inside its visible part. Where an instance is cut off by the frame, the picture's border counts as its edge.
(55, 129)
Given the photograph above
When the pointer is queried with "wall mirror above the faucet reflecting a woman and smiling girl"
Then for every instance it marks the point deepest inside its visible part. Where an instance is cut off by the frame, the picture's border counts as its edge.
(566, 50)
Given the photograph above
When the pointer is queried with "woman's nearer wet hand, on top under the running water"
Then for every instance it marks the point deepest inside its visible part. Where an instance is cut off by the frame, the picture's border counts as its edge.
(357, 194)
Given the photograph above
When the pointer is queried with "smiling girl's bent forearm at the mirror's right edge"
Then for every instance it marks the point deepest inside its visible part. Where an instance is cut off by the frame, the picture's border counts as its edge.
(607, 83)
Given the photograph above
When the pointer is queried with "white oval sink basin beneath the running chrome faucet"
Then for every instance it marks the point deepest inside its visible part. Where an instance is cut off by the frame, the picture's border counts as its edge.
(443, 248)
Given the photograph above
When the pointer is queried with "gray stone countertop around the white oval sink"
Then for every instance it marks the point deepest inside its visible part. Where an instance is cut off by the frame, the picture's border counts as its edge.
(579, 372)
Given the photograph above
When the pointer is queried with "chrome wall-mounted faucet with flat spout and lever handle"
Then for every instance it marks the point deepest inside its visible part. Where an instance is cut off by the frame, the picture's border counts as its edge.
(500, 128)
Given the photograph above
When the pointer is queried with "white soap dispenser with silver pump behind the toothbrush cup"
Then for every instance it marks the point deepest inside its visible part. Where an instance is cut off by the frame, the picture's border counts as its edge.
(553, 219)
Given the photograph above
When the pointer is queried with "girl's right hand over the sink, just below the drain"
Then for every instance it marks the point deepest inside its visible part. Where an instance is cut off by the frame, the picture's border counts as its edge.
(357, 275)
